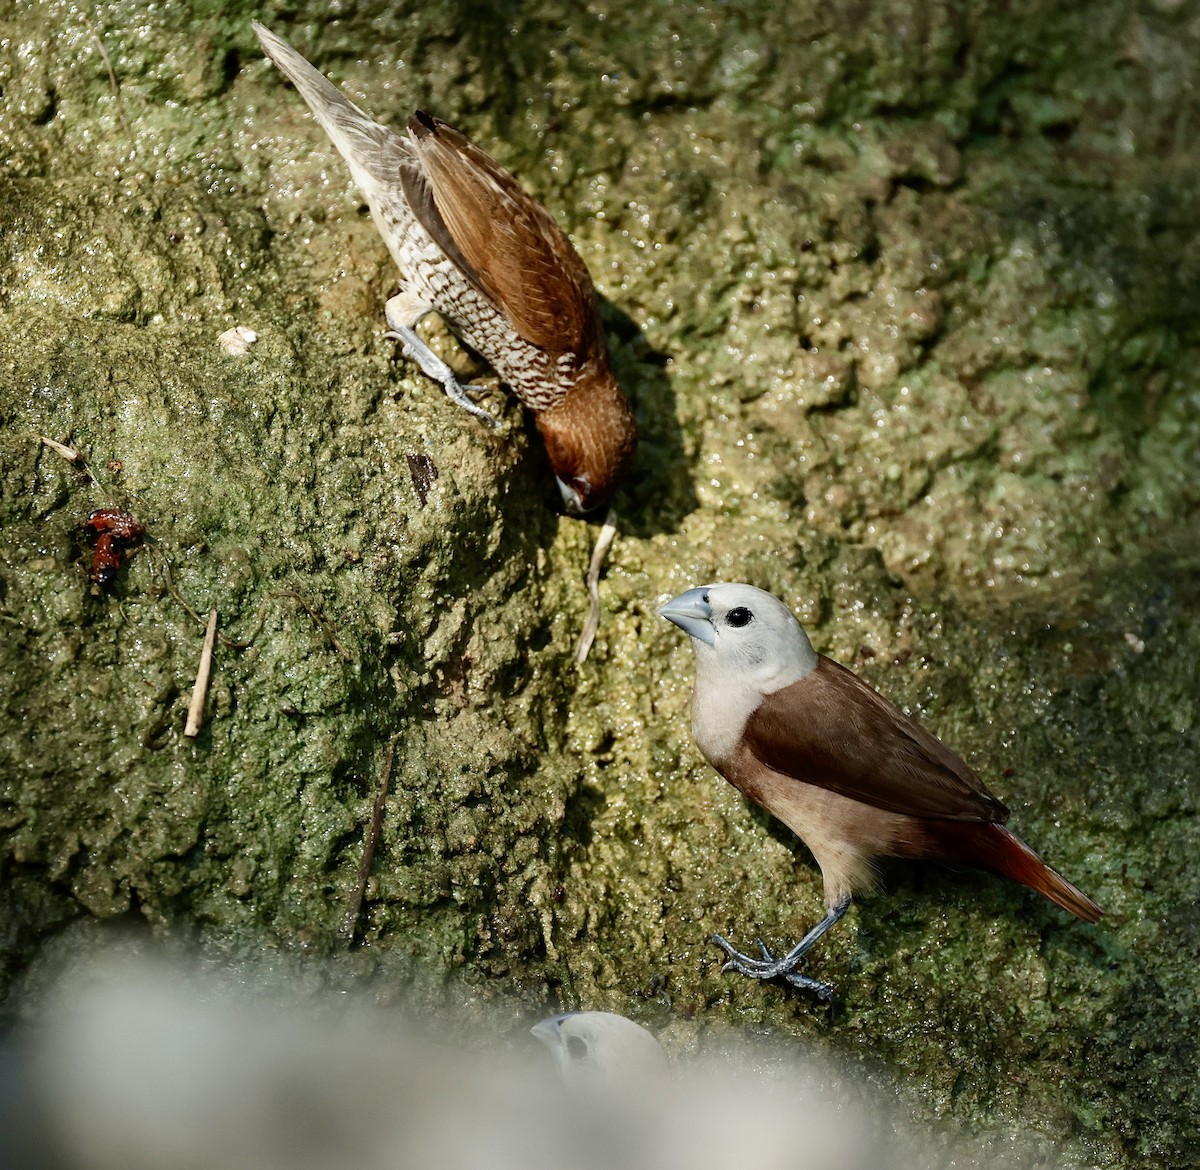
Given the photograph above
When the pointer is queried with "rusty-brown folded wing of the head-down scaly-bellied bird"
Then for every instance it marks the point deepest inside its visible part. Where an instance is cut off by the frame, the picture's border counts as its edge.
(506, 242)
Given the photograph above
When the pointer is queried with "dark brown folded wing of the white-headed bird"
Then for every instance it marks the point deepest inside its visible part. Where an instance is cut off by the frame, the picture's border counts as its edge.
(835, 731)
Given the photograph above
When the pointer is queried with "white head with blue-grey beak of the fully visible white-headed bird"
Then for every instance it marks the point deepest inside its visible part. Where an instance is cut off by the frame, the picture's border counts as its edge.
(743, 633)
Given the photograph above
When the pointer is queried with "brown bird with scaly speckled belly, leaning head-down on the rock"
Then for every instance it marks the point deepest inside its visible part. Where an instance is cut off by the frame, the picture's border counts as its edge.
(477, 248)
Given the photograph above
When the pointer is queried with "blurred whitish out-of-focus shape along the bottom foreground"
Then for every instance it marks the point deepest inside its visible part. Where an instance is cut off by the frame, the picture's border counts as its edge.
(139, 1065)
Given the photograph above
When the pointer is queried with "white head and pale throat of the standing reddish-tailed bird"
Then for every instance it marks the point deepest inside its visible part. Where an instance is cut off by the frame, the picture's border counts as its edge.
(748, 645)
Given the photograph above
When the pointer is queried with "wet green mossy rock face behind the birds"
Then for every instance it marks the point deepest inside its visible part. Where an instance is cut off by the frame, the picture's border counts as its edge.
(905, 296)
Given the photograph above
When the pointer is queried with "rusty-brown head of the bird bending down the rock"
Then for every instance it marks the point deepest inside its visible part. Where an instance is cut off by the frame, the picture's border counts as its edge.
(591, 439)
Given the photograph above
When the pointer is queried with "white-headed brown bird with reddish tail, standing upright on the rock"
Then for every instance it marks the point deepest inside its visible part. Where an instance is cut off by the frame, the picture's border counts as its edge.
(842, 767)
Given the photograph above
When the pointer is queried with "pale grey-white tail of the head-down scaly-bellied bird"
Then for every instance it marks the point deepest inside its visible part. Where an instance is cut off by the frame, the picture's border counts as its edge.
(368, 147)
